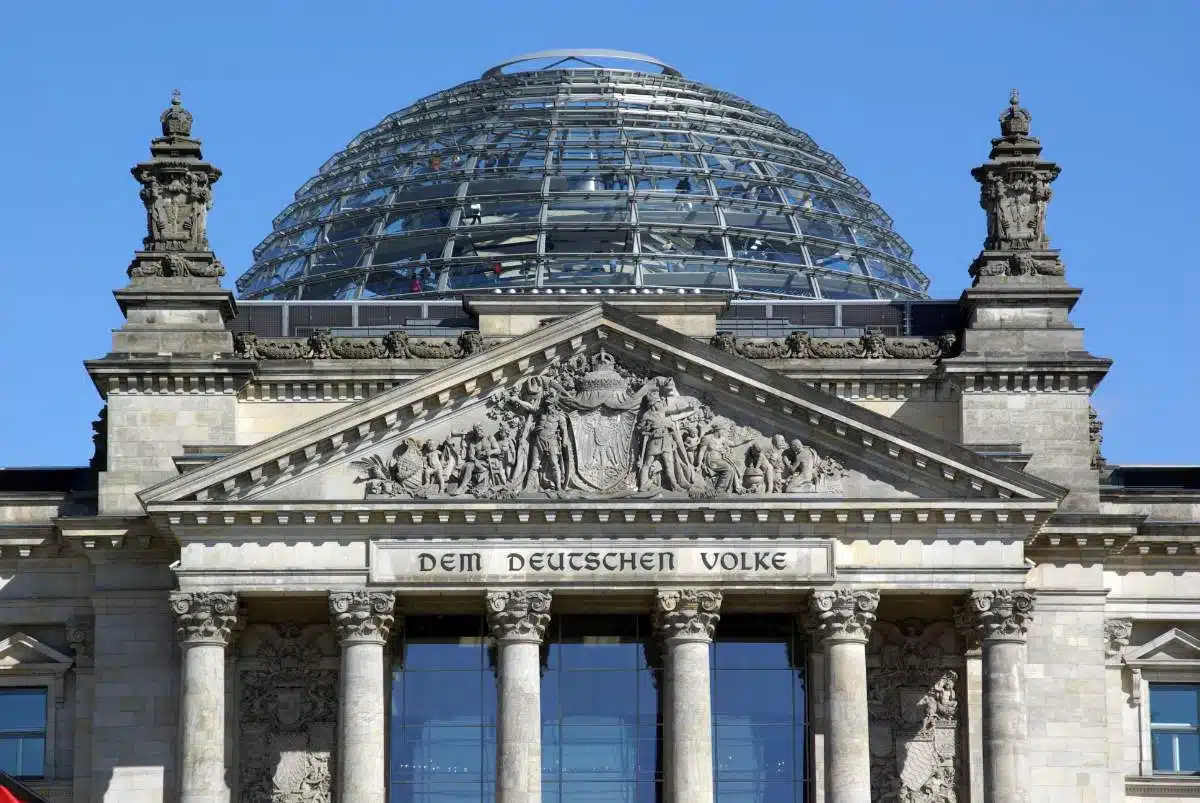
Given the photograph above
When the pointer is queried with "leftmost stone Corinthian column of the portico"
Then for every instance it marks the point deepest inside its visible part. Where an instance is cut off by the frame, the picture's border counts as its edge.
(203, 624)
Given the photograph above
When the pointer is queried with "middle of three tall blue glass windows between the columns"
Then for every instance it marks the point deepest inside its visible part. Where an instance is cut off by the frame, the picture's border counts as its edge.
(602, 733)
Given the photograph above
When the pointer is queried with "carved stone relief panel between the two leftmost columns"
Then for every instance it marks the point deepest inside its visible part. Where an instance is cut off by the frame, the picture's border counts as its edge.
(287, 714)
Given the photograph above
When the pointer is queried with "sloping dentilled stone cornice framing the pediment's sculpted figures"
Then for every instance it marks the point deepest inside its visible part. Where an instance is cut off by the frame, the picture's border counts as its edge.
(371, 424)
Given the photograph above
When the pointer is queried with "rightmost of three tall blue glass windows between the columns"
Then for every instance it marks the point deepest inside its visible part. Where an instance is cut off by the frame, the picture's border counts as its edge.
(759, 711)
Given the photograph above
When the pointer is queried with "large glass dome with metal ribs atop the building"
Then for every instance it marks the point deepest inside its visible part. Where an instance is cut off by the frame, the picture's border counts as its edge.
(561, 170)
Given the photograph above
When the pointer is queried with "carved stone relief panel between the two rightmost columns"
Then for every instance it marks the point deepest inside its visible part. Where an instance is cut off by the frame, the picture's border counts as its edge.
(914, 691)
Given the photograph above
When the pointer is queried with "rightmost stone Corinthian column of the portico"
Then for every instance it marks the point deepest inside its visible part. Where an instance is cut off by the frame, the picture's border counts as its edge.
(1003, 619)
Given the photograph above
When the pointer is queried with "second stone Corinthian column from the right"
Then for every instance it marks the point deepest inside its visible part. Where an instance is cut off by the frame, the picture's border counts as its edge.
(843, 620)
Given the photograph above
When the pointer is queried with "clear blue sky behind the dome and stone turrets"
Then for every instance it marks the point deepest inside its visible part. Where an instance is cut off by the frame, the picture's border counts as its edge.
(905, 94)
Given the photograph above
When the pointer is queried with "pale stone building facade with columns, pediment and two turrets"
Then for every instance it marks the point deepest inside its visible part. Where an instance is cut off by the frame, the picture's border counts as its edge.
(223, 606)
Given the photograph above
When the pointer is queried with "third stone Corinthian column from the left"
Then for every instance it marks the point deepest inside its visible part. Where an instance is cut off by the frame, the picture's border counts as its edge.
(518, 620)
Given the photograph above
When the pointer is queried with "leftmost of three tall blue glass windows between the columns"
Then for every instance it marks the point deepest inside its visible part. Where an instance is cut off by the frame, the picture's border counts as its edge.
(443, 714)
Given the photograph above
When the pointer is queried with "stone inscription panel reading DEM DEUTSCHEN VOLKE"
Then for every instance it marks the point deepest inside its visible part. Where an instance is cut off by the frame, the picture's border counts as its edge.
(598, 562)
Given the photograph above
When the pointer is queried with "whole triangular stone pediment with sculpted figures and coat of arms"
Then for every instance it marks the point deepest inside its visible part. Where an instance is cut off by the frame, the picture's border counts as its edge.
(604, 405)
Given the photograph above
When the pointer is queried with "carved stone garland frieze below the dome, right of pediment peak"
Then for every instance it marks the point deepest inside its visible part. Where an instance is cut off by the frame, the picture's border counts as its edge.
(872, 346)
